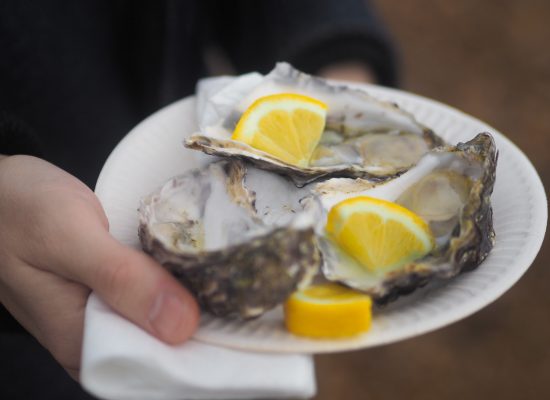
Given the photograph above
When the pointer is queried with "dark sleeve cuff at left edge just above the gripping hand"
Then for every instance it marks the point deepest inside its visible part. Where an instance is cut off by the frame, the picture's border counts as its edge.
(16, 137)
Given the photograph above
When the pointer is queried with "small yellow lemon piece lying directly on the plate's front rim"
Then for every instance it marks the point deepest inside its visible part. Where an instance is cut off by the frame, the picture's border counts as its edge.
(328, 311)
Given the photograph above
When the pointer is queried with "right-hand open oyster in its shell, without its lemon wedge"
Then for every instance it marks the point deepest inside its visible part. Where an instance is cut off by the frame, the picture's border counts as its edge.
(450, 188)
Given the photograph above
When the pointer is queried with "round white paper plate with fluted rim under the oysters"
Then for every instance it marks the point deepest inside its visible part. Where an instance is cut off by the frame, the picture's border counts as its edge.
(153, 152)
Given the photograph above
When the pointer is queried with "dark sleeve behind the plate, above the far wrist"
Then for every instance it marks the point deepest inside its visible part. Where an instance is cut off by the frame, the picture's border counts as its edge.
(310, 34)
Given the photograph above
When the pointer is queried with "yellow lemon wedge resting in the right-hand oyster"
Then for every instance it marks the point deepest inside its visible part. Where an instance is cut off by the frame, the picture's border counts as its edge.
(379, 234)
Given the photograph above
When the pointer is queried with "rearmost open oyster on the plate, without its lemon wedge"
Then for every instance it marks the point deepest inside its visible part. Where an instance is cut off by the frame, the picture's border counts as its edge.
(364, 137)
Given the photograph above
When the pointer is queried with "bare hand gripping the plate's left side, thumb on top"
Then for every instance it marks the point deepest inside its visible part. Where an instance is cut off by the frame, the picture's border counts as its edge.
(55, 248)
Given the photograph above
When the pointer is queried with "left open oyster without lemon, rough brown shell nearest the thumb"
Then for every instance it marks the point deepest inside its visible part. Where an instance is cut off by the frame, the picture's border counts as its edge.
(238, 252)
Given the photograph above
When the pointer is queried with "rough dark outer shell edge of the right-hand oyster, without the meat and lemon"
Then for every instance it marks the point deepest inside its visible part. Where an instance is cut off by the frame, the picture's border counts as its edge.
(469, 243)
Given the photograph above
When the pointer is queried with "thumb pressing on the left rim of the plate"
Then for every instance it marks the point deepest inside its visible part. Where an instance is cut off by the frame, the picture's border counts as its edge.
(137, 287)
